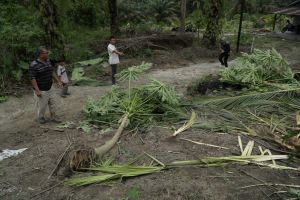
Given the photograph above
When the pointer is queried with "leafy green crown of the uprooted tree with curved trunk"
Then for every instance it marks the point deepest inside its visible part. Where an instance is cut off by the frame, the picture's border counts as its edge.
(143, 104)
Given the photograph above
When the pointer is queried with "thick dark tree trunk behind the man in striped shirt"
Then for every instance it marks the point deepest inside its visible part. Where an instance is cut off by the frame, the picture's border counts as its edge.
(49, 14)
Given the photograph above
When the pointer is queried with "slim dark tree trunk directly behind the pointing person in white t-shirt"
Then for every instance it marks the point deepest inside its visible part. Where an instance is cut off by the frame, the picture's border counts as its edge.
(113, 11)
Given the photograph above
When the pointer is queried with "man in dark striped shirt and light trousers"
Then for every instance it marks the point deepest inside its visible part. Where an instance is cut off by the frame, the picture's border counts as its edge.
(41, 73)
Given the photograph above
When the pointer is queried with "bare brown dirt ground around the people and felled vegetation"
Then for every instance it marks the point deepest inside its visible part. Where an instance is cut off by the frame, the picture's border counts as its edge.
(26, 176)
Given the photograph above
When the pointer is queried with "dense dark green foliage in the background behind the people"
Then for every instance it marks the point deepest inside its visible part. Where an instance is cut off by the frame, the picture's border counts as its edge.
(72, 26)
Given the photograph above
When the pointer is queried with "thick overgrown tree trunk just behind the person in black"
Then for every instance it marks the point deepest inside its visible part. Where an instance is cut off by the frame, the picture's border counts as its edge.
(214, 15)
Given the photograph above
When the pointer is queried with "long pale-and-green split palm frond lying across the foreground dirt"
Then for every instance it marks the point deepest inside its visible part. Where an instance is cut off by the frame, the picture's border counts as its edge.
(106, 172)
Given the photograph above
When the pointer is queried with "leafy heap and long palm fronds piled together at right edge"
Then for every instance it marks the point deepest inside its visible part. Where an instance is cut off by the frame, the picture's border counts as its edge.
(270, 114)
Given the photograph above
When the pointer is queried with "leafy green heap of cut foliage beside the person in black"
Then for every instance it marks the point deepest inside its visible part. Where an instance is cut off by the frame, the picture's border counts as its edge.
(258, 68)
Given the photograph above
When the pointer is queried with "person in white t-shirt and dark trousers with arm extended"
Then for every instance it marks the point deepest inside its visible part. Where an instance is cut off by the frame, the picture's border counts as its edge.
(113, 57)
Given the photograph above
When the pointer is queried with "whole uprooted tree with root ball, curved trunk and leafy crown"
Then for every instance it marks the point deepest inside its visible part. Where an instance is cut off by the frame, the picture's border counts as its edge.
(136, 108)
